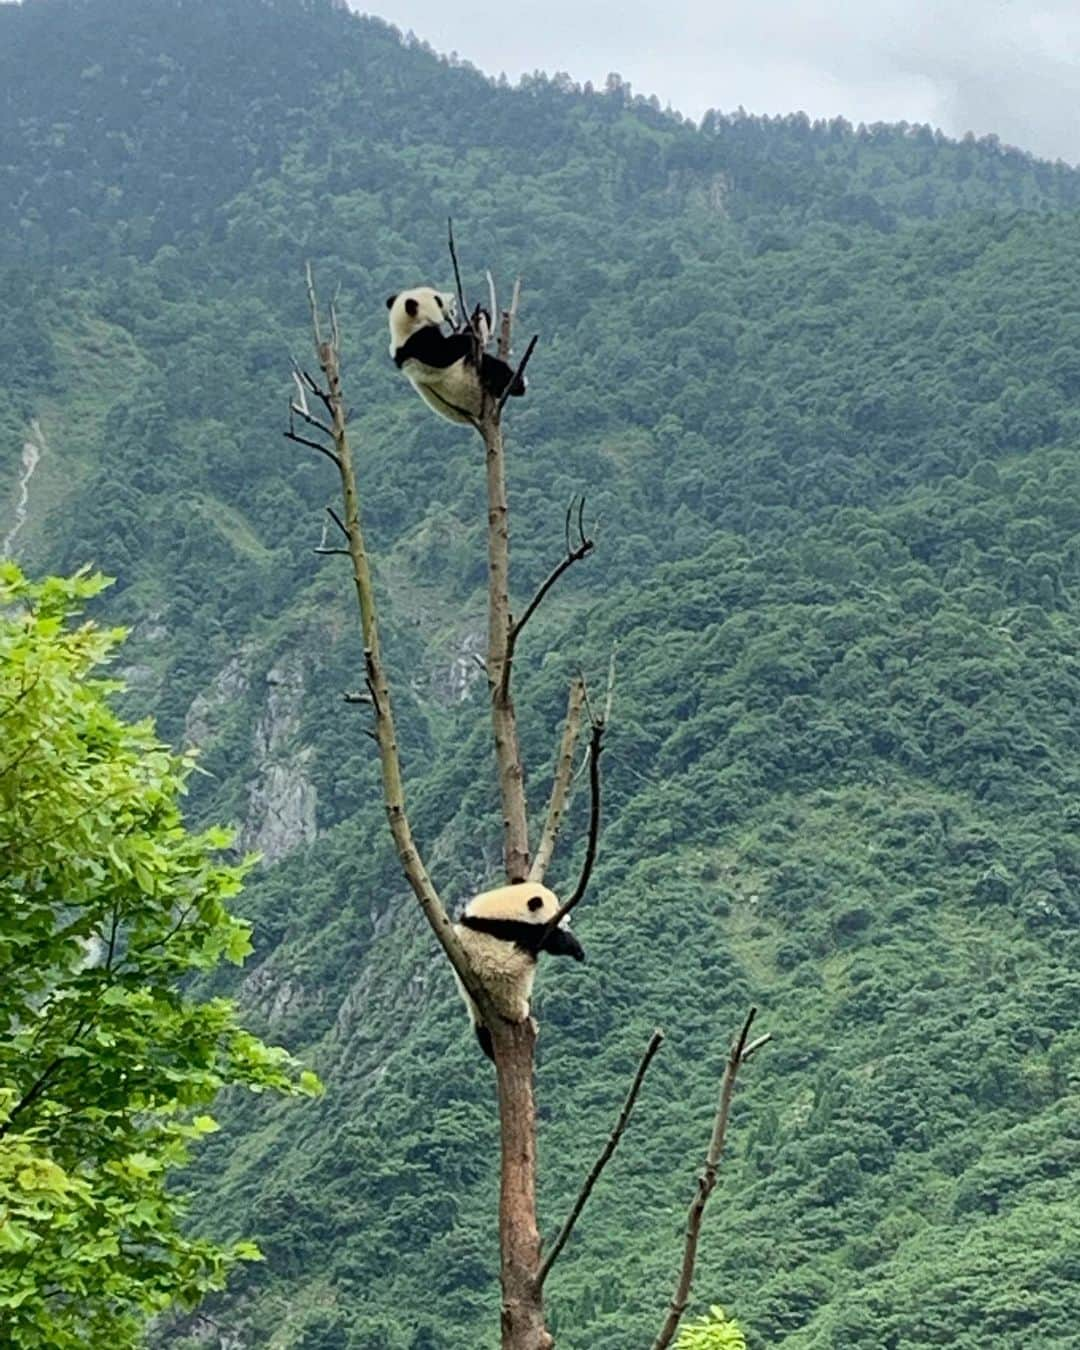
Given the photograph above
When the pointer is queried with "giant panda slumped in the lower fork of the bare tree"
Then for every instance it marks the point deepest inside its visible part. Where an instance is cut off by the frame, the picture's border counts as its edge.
(504, 932)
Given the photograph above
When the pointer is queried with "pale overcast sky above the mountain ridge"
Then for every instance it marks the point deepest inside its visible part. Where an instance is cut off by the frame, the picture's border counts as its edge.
(1009, 67)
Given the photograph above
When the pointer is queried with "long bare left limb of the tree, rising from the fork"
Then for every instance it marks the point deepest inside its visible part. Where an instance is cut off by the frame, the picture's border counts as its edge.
(394, 790)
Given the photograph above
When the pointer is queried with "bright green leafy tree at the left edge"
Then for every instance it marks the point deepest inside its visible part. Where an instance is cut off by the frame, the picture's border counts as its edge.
(107, 1066)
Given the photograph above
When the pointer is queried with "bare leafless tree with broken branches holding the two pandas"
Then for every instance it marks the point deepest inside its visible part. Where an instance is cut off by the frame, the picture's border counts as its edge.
(318, 421)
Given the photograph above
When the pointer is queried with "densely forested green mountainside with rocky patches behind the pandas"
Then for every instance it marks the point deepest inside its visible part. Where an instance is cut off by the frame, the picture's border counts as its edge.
(820, 388)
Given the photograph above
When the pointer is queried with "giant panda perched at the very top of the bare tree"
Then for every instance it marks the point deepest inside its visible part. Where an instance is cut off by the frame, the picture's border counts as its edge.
(442, 368)
